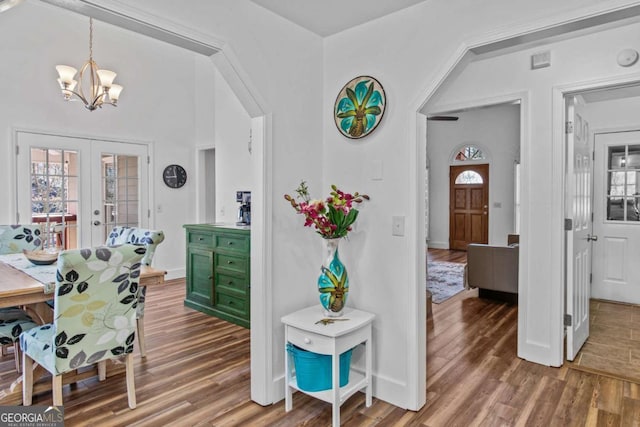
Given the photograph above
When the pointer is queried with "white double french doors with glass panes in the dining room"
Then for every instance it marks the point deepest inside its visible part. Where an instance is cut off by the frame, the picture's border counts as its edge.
(80, 188)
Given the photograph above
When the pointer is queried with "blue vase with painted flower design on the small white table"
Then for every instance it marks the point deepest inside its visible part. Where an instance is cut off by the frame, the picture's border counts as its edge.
(333, 283)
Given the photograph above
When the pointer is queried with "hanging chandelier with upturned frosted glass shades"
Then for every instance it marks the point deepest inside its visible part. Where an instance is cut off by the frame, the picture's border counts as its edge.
(99, 87)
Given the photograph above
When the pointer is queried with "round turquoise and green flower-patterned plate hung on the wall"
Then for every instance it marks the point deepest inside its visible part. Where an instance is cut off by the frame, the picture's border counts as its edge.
(359, 107)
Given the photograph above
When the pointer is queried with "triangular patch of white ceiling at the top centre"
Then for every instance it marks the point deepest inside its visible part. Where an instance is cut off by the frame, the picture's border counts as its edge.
(327, 17)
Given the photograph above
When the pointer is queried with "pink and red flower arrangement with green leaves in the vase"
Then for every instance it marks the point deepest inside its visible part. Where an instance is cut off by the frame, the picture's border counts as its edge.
(333, 217)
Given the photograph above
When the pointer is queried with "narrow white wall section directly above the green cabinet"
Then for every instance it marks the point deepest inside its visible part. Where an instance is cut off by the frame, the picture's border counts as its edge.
(233, 160)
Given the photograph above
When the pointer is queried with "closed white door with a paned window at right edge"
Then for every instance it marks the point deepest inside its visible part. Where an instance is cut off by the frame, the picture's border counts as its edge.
(616, 270)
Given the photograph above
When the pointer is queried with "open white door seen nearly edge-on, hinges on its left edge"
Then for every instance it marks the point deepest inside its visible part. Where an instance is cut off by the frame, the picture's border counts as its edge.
(578, 234)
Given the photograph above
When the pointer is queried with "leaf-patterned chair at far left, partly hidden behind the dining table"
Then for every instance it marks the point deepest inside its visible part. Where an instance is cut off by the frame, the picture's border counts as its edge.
(13, 320)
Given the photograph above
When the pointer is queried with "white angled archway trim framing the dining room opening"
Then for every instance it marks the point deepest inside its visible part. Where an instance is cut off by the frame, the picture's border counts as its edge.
(232, 71)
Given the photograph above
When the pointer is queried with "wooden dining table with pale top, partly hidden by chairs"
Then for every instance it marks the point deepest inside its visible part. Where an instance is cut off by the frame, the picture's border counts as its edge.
(25, 285)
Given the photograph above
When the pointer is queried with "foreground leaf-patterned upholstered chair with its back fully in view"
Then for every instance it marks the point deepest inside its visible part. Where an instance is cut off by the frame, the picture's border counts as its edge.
(94, 317)
